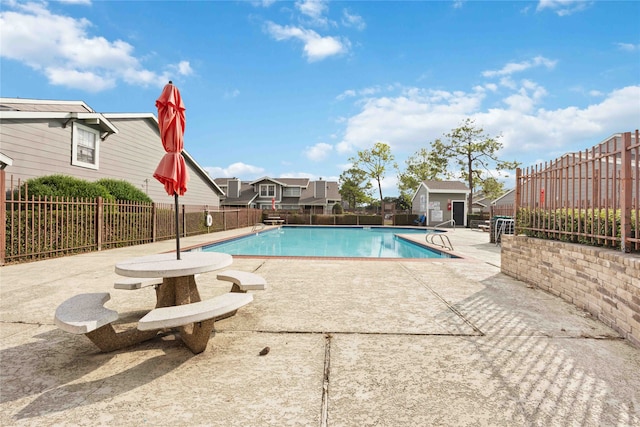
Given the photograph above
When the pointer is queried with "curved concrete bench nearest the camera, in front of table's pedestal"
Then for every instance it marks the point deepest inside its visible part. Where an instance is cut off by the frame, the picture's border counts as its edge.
(195, 320)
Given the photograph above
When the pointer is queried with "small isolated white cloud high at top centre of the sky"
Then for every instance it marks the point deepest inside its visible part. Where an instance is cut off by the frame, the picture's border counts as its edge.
(316, 47)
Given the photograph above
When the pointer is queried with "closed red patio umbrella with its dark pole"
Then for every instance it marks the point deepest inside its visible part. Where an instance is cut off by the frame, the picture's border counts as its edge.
(172, 170)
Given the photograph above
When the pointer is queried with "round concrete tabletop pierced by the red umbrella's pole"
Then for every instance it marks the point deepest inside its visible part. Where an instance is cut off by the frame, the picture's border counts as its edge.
(166, 265)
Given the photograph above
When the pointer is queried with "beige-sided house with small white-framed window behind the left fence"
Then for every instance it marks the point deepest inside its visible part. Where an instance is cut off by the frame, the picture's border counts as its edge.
(44, 137)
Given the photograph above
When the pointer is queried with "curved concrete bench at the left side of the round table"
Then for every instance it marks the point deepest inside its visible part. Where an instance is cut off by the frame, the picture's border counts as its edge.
(86, 314)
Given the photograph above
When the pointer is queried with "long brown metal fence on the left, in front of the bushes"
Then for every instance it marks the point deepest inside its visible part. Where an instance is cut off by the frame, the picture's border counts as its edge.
(44, 227)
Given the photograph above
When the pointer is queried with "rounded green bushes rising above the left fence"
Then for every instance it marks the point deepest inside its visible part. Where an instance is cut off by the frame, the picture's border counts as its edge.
(64, 186)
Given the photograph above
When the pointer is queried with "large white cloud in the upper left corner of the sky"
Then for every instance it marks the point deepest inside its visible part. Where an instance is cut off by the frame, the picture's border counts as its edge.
(61, 48)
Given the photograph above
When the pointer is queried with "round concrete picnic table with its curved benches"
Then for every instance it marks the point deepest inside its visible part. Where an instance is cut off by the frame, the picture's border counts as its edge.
(178, 303)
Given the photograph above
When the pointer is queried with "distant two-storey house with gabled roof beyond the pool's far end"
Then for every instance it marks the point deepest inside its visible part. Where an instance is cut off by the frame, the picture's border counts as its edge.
(280, 193)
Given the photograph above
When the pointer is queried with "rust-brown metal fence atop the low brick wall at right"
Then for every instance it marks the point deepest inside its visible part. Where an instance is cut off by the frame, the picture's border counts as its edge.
(590, 197)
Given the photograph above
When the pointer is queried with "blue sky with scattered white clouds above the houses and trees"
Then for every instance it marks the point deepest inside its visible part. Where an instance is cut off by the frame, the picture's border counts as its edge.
(296, 88)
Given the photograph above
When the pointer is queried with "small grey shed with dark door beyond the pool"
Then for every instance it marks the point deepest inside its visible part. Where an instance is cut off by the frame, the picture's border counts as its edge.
(441, 201)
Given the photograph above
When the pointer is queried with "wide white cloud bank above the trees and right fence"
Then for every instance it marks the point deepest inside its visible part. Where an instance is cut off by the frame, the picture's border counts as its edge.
(414, 119)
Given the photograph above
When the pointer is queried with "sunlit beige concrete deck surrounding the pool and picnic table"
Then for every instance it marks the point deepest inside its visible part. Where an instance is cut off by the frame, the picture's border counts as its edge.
(352, 343)
